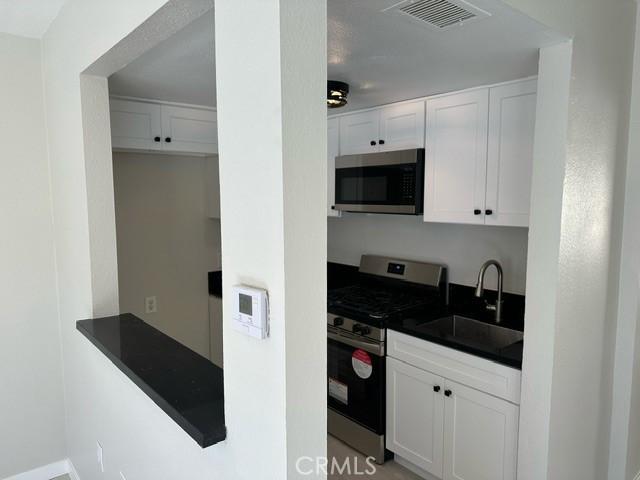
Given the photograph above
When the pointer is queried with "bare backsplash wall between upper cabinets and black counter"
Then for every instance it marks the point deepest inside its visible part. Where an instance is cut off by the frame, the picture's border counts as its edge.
(463, 248)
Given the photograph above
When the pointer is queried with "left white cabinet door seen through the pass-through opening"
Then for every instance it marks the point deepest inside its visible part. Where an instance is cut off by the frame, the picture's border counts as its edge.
(135, 125)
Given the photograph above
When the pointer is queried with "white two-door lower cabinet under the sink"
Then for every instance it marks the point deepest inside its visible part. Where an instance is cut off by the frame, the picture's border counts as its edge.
(445, 428)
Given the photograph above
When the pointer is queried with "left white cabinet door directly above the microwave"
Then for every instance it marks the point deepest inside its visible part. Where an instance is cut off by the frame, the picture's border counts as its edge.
(359, 132)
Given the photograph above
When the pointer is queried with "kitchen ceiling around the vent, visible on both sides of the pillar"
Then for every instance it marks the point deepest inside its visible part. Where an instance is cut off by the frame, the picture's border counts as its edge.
(384, 56)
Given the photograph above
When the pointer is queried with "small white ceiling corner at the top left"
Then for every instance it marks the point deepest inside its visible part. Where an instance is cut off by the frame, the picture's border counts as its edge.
(28, 18)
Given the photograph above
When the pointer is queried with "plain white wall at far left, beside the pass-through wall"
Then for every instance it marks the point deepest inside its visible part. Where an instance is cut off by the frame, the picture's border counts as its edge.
(31, 400)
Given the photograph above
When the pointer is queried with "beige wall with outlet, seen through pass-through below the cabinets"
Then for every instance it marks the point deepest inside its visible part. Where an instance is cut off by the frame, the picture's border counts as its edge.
(166, 243)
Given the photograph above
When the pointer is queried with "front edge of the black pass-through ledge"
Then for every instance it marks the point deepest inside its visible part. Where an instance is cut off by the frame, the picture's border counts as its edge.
(204, 440)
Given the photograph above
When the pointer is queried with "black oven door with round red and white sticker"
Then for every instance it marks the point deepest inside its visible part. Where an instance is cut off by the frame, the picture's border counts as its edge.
(356, 379)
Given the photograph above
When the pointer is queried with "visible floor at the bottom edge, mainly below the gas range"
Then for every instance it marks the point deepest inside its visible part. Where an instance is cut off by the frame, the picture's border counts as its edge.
(338, 450)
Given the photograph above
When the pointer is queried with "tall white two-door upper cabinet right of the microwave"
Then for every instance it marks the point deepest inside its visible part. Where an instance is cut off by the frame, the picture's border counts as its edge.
(479, 155)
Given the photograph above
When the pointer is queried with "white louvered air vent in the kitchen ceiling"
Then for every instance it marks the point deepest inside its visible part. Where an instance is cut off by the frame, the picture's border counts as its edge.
(440, 14)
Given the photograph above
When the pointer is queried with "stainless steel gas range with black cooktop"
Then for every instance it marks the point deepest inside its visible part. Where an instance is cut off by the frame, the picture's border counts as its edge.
(387, 289)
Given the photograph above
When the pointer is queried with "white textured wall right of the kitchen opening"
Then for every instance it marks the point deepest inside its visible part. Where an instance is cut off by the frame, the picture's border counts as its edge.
(578, 273)
